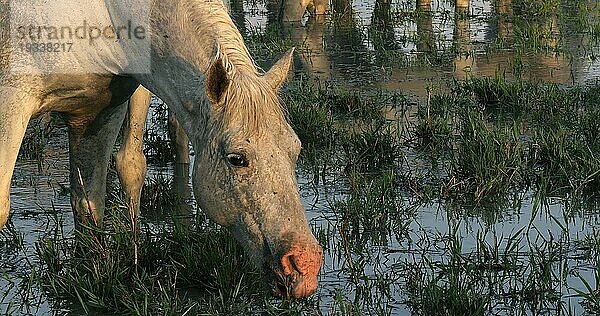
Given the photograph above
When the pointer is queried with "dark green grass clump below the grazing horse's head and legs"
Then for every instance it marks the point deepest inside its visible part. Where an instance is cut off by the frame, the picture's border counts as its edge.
(98, 274)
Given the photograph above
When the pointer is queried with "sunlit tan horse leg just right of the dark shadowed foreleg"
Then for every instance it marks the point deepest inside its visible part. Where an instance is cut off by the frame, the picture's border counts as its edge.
(131, 162)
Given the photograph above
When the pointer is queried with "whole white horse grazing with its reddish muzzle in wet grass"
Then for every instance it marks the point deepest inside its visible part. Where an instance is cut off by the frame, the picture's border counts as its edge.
(189, 53)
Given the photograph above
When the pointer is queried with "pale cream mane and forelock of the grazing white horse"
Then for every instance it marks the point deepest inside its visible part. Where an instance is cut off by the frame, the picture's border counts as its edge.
(250, 102)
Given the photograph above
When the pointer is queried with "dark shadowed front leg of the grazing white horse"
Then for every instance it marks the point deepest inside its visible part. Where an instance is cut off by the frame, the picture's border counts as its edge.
(91, 140)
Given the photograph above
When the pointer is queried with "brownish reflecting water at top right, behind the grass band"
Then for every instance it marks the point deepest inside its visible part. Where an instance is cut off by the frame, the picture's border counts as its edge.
(408, 46)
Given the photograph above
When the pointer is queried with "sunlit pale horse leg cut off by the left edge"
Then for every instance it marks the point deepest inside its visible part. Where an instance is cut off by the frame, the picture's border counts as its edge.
(14, 117)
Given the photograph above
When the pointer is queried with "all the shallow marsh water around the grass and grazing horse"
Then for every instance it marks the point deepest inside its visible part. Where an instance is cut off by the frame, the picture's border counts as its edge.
(379, 267)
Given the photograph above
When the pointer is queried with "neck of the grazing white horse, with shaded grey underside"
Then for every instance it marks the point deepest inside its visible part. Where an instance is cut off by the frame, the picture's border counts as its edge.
(187, 35)
